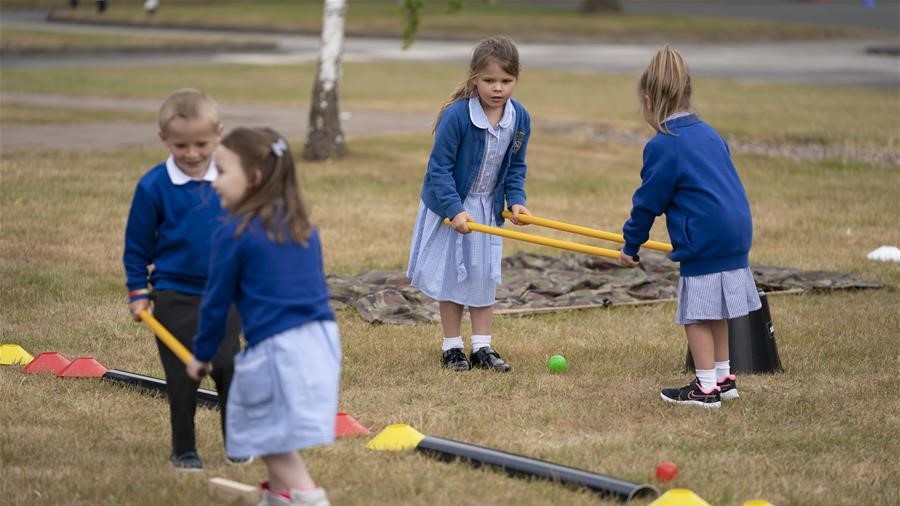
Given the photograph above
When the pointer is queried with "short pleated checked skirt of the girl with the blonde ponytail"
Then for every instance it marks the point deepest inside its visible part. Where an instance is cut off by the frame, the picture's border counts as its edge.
(716, 296)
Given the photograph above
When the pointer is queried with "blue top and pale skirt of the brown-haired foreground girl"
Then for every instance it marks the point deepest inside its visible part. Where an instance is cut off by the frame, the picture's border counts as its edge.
(285, 388)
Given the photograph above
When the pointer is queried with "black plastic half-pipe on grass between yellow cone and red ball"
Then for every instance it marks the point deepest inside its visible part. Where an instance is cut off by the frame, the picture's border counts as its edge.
(517, 465)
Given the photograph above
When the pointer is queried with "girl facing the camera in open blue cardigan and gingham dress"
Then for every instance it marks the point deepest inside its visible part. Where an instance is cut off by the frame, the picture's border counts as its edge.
(477, 168)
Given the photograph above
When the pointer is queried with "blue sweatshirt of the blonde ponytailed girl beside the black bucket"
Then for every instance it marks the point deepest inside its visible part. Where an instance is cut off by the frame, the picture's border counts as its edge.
(690, 177)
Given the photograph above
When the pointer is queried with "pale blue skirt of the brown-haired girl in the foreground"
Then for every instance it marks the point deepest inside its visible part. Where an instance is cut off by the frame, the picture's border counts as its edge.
(284, 395)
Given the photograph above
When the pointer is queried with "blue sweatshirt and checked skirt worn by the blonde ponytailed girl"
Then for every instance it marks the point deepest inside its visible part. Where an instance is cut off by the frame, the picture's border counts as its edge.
(689, 176)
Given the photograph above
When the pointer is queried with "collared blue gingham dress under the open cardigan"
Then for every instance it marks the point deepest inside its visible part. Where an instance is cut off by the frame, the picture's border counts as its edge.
(464, 268)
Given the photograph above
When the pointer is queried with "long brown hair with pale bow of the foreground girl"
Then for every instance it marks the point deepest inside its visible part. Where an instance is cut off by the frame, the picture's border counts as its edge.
(274, 194)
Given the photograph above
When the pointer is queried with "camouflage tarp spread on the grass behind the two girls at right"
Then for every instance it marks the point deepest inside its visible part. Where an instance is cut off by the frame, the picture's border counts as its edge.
(537, 283)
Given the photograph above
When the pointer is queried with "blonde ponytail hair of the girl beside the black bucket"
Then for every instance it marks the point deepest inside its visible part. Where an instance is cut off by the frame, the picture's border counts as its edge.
(668, 84)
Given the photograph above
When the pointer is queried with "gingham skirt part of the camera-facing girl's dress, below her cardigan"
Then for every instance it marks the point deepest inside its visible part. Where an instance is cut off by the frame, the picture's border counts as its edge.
(448, 266)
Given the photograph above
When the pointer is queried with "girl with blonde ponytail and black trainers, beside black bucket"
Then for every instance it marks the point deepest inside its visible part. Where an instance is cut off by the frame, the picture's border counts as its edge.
(688, 175)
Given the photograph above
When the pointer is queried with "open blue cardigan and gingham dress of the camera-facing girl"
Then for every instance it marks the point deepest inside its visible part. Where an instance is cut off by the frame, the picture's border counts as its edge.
(478, 168)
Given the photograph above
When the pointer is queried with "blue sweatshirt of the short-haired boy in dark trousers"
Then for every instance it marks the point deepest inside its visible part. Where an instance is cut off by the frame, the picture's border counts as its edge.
(170, 227)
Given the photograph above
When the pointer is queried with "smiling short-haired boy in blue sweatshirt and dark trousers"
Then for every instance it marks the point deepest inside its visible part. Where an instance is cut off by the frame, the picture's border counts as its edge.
(173, 215)
